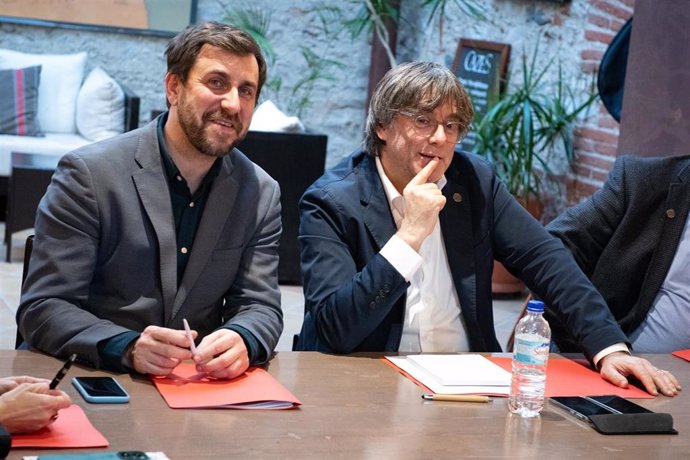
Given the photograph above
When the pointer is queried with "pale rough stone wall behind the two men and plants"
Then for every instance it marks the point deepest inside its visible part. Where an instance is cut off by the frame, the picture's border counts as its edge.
(337, 107)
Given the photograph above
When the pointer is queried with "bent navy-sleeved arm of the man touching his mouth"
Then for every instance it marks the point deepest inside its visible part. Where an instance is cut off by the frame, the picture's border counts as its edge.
(347, 298)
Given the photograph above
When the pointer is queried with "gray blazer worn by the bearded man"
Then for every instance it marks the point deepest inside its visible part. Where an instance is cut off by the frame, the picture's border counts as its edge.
(104, 259)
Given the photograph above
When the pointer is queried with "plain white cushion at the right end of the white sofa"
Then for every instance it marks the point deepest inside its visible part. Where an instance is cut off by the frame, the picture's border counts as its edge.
(100, 107)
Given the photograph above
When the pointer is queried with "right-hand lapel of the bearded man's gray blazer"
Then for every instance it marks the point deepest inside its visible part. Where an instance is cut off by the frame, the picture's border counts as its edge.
(221, 201)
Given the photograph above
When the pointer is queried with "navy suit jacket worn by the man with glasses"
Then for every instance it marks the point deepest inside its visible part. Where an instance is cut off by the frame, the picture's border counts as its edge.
(355, 299)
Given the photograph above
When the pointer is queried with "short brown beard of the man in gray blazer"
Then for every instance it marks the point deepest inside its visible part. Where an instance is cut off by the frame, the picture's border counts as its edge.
(196, 134)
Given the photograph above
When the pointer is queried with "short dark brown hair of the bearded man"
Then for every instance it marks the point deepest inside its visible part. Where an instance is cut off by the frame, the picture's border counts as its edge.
(184, 48)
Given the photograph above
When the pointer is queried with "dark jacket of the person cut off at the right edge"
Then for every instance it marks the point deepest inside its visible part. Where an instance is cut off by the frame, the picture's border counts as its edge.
(624, 237)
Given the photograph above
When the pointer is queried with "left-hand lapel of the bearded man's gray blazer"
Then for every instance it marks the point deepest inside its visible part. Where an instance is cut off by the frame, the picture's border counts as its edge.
(155, 198)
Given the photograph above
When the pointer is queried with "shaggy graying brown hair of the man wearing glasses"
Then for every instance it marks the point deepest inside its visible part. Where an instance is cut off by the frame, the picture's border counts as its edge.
(415, 87)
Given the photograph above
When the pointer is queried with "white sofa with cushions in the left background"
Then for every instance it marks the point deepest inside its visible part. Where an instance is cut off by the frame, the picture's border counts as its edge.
(49, 106)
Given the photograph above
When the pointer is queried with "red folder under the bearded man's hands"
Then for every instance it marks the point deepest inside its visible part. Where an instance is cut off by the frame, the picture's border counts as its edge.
(255, 389)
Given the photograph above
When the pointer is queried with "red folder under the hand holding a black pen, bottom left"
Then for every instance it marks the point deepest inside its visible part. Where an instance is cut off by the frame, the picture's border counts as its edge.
(72, 429)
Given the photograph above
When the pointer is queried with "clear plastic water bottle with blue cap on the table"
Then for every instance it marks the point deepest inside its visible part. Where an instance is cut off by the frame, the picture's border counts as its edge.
(532, 338)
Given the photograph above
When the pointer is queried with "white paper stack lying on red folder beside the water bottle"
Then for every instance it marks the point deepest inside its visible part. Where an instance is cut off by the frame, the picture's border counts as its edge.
(455, 374)
